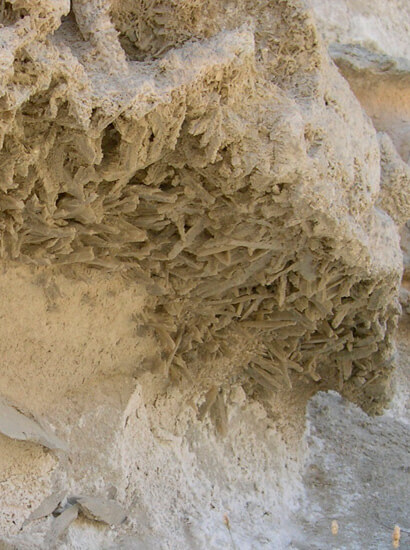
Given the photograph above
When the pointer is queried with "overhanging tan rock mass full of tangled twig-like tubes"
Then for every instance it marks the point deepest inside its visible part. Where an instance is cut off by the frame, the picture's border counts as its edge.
(235, 175)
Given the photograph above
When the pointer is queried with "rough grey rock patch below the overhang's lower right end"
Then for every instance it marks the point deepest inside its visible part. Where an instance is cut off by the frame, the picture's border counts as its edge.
(357, 472)
